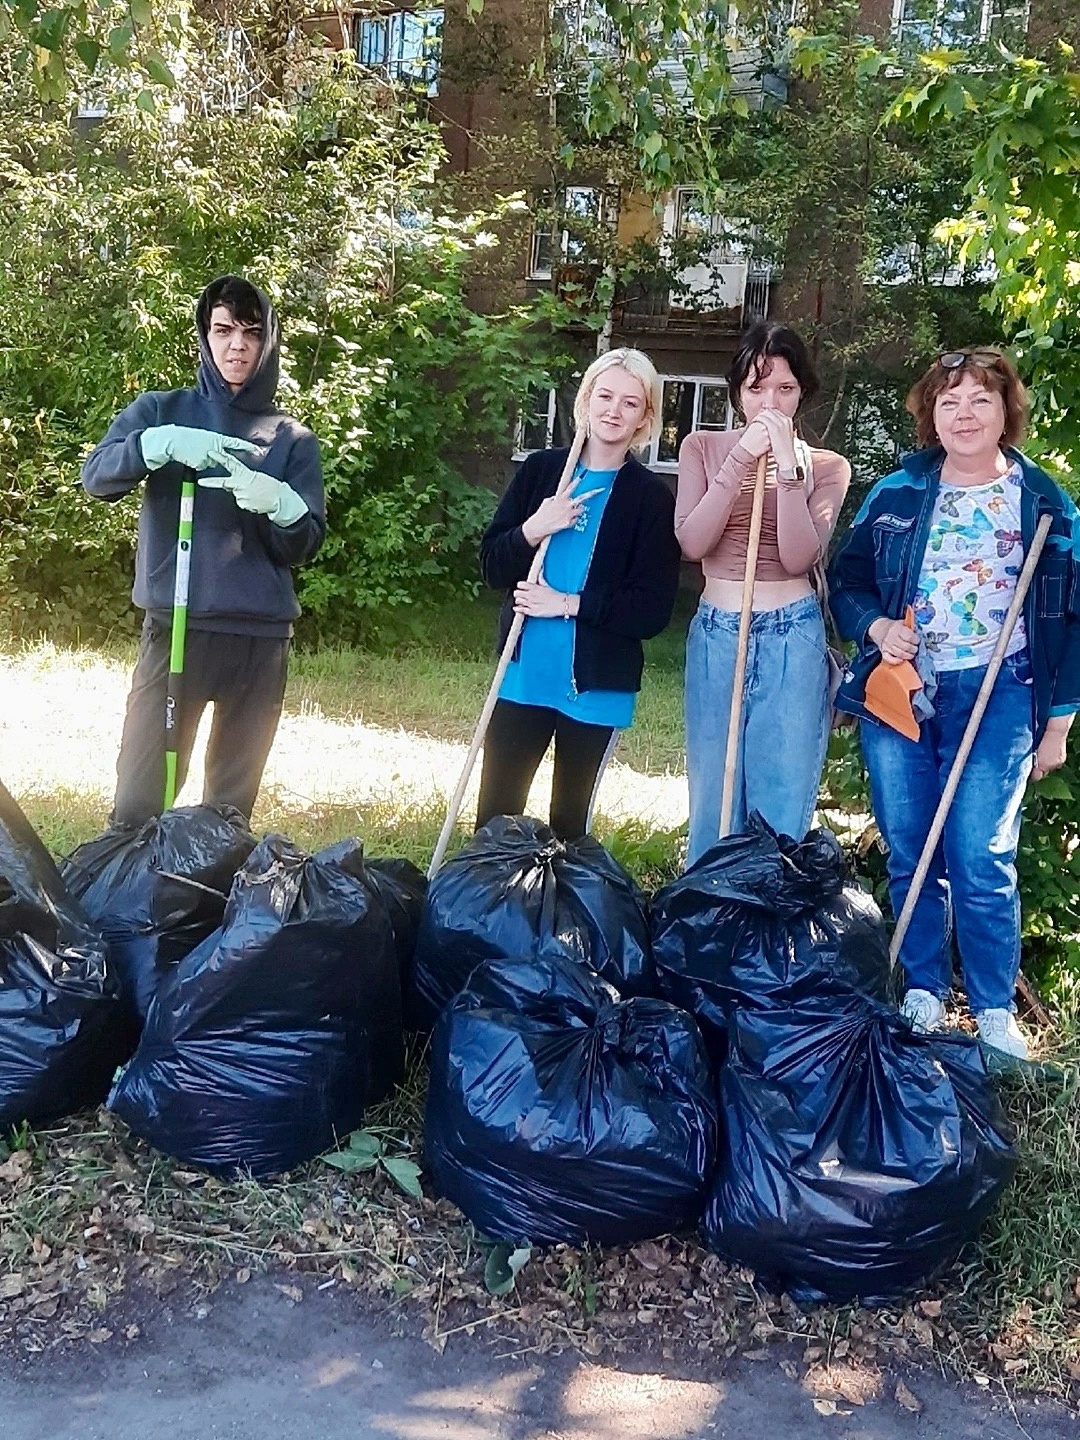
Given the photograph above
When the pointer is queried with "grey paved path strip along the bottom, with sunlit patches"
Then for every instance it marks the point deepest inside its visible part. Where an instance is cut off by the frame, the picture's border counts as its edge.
(253, 1364)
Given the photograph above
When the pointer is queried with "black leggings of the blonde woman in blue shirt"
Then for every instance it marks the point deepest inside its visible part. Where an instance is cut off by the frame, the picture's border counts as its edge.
(513, 748)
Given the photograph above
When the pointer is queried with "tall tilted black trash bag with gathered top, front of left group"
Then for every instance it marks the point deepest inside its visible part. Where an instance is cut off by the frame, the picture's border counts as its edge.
(267, 1042)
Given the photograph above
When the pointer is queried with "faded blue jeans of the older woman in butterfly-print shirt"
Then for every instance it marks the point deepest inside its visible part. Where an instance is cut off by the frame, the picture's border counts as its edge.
(973, 878)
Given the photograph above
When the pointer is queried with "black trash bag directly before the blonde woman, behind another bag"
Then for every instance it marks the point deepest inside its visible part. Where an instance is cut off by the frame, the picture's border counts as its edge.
(519, 891)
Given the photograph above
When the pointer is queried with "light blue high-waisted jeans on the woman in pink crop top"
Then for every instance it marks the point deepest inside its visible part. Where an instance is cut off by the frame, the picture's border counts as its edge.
(786, 719)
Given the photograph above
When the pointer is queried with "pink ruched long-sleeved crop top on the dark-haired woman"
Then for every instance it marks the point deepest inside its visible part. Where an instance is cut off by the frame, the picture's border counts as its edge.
(714, 509)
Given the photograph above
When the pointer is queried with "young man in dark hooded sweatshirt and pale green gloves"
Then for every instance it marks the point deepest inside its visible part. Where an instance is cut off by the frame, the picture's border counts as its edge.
(260, 510)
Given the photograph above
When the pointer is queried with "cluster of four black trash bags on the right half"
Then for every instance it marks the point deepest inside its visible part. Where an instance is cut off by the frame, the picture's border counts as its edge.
(744, 1066)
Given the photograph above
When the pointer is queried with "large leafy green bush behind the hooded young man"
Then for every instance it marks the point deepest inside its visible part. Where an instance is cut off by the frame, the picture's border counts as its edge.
(329, 198)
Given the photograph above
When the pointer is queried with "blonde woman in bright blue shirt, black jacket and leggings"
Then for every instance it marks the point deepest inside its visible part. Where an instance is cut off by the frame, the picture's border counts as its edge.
(610, 582)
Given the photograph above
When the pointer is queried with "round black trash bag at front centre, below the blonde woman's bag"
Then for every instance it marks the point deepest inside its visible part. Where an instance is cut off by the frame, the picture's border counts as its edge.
(558, 1112)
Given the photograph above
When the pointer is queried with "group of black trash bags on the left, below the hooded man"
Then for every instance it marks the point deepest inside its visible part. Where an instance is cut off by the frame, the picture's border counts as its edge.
(267, 986)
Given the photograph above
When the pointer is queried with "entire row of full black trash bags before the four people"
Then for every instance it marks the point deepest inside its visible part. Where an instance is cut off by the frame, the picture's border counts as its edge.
(603, 1071)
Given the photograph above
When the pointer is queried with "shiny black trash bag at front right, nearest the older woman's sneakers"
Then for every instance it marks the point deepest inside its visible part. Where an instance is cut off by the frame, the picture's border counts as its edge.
(859, 1157)
